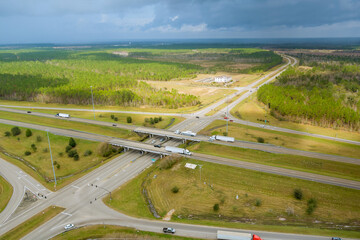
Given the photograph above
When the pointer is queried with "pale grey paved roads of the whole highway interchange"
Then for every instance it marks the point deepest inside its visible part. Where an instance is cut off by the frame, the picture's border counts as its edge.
(82, 201)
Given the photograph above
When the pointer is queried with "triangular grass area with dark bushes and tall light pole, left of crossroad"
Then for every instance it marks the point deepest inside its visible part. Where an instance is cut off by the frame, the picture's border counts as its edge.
(40, 158)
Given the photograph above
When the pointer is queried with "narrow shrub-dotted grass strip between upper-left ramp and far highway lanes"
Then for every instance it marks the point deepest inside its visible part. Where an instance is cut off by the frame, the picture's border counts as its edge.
(137, 119)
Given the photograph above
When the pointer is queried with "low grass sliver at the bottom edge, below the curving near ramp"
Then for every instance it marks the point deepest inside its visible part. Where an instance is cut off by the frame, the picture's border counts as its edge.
(113, 232)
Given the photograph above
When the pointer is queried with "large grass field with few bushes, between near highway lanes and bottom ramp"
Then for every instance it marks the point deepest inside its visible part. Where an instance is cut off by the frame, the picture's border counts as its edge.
(263, 199)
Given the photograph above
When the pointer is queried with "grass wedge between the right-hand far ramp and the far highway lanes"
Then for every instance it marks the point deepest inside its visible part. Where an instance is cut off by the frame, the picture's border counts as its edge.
(288, 140)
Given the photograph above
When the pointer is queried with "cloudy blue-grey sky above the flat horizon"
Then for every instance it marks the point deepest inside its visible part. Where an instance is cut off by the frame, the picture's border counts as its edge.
(81, 21)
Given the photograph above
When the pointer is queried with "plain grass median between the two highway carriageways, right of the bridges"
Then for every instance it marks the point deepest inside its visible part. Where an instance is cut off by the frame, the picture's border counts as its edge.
(293, 162)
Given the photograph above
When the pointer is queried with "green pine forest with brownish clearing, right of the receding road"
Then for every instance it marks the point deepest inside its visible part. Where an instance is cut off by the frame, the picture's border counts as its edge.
(325, 94)
